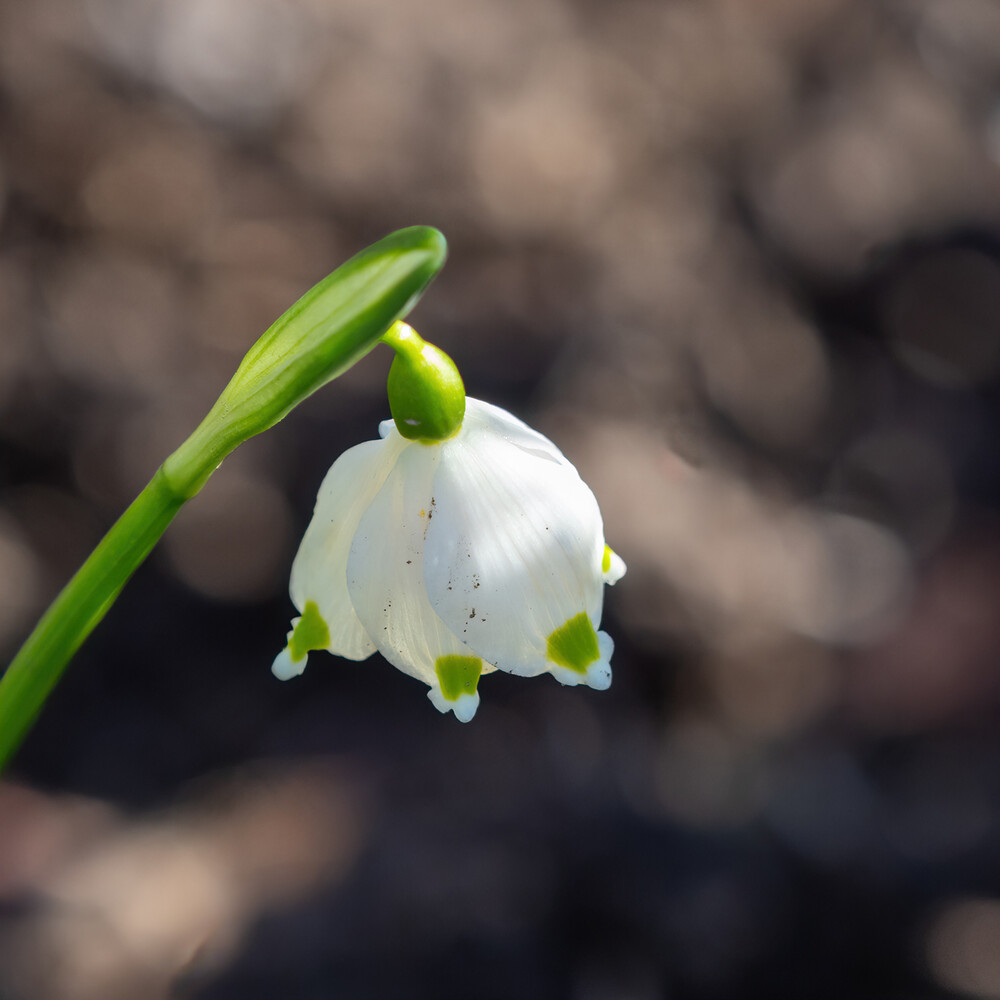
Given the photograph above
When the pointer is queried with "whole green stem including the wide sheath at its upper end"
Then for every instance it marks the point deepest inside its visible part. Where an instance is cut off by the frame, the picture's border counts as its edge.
(329, 329)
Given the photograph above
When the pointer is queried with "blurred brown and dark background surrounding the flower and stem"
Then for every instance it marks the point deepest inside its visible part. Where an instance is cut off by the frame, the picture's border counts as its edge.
(741, 260)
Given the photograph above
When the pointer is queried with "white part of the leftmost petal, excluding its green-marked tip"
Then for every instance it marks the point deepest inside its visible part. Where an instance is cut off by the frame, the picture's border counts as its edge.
(319, 572)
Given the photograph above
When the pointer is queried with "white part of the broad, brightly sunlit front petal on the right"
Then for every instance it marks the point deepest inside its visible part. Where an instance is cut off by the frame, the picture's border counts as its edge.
(515, 547)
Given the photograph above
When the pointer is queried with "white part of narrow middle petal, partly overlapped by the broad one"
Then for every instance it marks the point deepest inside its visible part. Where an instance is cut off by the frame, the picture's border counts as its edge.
(385, 569)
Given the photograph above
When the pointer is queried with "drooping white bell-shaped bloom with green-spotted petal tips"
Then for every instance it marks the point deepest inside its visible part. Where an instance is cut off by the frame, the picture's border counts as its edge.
(452, 559)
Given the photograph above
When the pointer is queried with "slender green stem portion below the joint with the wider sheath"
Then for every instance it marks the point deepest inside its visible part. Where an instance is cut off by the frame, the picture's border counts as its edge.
(82, 603)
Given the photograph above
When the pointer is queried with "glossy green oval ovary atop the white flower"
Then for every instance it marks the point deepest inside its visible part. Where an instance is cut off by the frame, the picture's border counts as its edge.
(426, 394)
